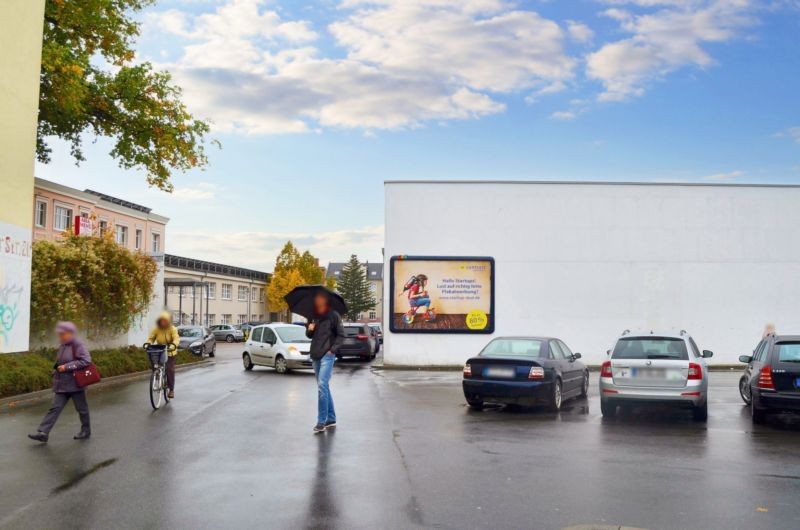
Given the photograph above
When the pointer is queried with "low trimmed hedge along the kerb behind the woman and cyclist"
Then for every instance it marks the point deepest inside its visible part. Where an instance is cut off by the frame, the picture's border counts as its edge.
(21, 373)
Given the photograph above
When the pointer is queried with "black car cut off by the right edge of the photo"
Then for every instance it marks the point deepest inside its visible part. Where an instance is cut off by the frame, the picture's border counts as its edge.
(771, 381)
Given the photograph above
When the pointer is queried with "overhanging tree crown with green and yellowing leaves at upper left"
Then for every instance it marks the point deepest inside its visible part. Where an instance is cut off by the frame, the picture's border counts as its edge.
(91, 82)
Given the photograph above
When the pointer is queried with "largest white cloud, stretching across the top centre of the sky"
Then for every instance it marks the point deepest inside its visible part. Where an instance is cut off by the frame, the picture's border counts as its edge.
(405, 63)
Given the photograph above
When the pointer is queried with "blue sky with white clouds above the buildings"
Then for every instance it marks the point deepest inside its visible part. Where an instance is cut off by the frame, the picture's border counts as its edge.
(316, 104)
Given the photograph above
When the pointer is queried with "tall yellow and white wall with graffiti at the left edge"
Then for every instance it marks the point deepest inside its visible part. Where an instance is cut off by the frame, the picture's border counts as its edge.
(20, 56)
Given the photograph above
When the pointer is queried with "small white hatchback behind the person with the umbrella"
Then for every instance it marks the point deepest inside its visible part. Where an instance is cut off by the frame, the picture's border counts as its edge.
(283, 347)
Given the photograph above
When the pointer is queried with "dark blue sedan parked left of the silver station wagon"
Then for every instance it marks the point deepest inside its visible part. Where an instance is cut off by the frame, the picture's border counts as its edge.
(525, 371)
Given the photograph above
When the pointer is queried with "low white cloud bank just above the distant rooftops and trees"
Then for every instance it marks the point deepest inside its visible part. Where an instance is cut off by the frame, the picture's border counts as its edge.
(257, 250)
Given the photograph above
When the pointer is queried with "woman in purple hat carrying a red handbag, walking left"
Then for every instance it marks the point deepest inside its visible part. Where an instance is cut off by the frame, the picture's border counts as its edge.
(72, 355)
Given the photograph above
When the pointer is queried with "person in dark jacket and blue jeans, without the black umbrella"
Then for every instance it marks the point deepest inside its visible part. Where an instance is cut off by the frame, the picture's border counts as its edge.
(326, 333)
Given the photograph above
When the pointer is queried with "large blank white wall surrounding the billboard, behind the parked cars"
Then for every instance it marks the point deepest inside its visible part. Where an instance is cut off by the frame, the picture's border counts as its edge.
(584, 261)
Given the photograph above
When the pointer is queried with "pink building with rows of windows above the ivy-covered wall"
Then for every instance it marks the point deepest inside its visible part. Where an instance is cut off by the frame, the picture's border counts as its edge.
(135, 227)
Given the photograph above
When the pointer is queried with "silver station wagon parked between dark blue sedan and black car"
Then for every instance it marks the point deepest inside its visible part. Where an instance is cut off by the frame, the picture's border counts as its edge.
(655, 368)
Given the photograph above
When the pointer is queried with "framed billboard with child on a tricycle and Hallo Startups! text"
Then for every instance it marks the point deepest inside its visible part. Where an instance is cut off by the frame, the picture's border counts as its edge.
(431, 294)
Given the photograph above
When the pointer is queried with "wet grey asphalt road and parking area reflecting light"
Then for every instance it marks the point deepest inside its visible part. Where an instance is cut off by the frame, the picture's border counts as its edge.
(236, 450)
